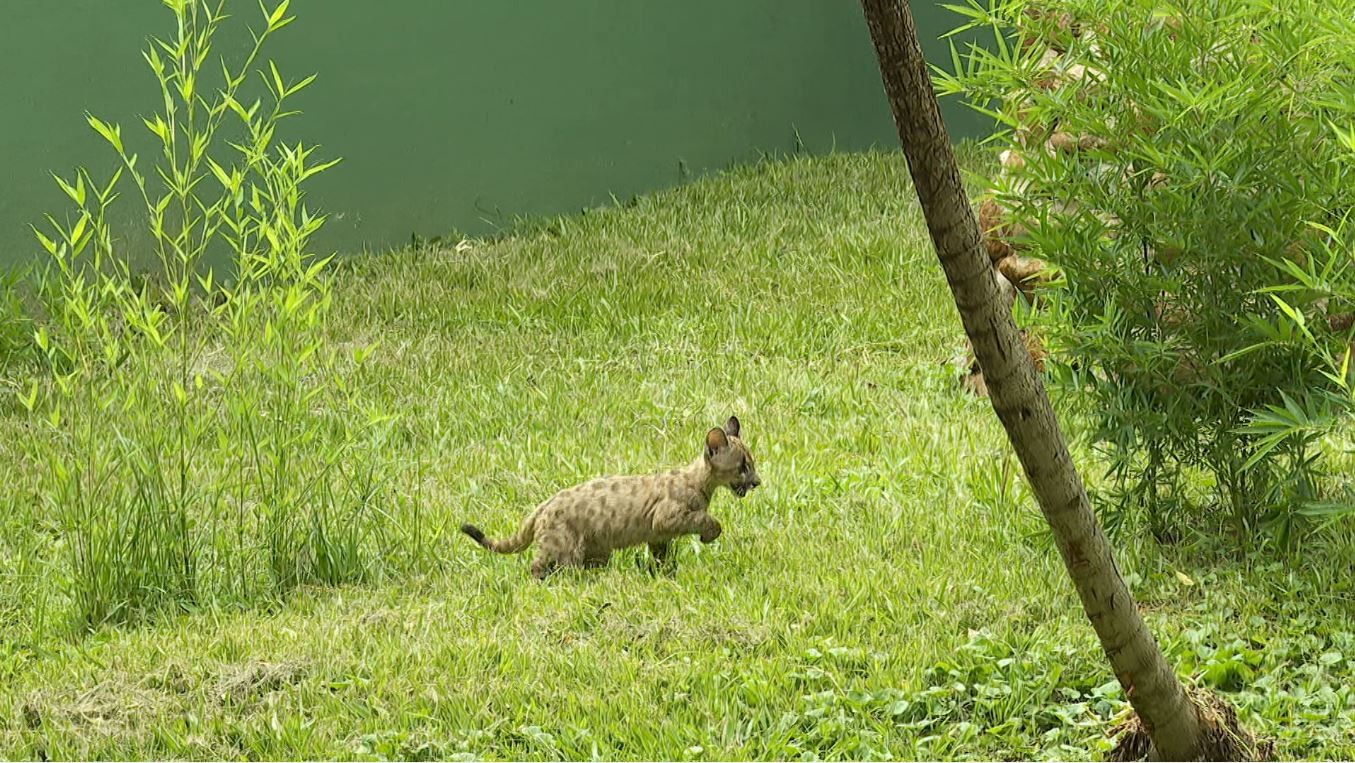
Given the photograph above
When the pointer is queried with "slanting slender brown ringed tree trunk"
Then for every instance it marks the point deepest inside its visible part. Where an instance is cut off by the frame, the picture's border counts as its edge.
(1018, 395)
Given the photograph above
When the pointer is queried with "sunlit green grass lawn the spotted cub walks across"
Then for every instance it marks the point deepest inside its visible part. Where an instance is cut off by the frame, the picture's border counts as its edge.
(888, 593)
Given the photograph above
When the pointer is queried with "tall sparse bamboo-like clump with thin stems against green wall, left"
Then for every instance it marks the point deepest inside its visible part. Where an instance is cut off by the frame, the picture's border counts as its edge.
(200, 441)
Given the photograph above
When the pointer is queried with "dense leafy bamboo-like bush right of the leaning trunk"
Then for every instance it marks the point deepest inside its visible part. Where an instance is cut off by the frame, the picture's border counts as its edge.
(1193, 227)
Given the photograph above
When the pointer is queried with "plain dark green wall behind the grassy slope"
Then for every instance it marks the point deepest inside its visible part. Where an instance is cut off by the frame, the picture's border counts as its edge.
(461, 115)
